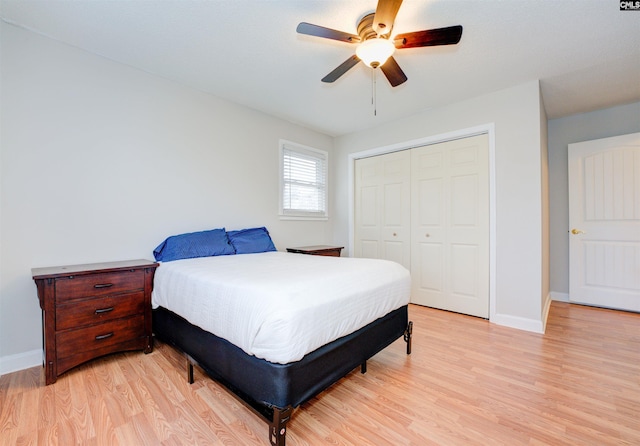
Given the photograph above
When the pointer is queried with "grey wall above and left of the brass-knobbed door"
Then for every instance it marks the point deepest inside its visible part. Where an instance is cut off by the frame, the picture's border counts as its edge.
(598, 124)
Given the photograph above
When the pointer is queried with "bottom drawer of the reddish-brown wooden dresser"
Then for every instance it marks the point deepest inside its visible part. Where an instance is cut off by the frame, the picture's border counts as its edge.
(94, 337)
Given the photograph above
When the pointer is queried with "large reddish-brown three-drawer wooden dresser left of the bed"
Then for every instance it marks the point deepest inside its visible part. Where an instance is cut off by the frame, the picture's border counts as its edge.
(92, 310)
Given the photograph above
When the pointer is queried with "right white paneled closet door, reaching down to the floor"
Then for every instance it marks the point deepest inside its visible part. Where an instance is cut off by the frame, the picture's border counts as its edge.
(450, 226)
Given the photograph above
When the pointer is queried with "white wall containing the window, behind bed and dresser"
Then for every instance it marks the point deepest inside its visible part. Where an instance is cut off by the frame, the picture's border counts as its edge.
(101, 162)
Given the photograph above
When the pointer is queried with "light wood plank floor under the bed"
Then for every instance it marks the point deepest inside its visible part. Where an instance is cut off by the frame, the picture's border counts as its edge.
(467, 382)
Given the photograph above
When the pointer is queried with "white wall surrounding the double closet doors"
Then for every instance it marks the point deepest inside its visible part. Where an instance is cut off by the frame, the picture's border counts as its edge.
(516, 113)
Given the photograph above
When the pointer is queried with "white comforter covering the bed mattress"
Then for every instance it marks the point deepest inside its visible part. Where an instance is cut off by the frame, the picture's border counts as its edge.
(280, 306)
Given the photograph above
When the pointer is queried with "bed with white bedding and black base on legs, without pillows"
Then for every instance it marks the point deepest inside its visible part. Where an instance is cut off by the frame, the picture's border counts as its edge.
(277, 328)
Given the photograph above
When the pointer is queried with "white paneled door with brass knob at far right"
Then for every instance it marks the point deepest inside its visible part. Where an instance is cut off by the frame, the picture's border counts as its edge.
(604, 222)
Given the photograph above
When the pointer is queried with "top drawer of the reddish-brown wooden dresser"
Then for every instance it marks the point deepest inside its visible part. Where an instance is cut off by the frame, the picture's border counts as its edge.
(101, 284)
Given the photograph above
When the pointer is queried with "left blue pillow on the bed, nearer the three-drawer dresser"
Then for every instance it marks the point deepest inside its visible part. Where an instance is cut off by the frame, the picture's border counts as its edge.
(195, 244)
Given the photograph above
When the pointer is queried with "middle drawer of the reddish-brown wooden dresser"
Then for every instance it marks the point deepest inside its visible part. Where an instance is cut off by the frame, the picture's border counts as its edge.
(97, 310)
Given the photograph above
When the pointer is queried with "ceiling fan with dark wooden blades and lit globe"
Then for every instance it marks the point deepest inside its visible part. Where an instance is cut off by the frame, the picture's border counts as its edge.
(375, 45)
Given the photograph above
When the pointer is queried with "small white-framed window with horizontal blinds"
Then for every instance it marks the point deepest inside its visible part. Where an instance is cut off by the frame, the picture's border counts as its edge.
(303, 181)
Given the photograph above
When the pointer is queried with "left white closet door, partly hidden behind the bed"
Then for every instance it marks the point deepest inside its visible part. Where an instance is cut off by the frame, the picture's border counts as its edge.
(382, 207)
